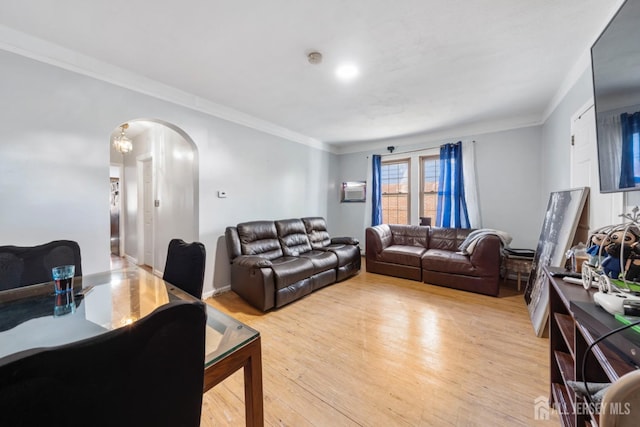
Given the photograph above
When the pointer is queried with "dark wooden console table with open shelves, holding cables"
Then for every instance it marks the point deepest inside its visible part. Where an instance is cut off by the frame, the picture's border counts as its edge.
(574, 323)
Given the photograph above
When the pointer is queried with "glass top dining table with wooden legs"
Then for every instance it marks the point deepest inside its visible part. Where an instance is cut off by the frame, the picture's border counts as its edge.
(34, 317)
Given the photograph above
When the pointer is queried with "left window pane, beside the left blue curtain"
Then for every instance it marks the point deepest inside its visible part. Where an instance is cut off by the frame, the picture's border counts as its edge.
(395, 192)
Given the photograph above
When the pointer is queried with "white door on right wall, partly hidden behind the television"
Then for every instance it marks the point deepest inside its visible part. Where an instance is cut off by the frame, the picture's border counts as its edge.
(604, 209)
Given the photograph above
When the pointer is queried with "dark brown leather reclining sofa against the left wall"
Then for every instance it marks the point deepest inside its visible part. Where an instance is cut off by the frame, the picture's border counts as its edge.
(276, 262)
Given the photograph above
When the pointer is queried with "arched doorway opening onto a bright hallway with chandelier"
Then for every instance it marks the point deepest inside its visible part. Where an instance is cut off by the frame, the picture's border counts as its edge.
(158, 191)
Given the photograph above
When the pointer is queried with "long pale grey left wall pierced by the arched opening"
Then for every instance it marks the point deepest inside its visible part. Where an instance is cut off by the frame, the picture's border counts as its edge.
(54, 164)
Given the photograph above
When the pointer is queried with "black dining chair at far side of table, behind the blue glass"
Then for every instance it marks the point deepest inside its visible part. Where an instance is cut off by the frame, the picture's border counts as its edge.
(28, 265)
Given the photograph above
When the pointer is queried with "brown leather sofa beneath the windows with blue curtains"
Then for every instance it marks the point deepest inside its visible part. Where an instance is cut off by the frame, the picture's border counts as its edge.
(432, 255)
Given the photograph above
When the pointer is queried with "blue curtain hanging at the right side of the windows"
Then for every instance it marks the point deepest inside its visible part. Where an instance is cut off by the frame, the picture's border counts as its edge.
(452, 206)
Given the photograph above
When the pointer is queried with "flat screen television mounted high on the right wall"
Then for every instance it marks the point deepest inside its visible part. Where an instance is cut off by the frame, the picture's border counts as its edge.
(615, 61)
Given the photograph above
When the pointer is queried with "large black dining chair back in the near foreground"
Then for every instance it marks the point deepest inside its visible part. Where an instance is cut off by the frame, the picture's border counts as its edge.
(149, 373)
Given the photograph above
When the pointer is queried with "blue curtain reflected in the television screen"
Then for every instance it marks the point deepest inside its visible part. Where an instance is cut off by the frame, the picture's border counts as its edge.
(630, 172)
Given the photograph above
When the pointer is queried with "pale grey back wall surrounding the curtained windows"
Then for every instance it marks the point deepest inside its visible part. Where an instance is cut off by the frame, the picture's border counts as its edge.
(508, 174)
